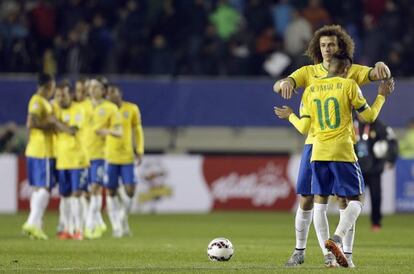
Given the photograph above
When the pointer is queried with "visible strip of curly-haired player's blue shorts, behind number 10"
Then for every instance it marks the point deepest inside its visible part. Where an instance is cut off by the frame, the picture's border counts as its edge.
(303, 185)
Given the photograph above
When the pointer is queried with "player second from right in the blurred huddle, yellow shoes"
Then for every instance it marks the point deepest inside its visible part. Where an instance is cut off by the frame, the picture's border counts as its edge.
(104, 121)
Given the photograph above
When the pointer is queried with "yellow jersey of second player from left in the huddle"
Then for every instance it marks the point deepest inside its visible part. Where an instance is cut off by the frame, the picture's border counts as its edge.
(71, 151)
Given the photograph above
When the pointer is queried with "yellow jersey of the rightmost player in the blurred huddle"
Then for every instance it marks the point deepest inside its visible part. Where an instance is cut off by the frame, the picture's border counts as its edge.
(121, 150)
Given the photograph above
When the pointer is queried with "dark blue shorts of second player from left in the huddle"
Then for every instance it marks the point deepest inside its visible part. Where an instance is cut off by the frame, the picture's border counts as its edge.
(71, 180)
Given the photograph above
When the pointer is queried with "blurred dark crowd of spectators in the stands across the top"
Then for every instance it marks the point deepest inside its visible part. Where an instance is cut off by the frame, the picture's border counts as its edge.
(195, 37)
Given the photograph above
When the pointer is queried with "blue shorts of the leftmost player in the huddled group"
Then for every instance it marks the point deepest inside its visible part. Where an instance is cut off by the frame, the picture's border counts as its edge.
(40, 172)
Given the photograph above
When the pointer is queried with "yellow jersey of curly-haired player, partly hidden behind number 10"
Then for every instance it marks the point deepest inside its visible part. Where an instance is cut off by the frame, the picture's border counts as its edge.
(306, 75)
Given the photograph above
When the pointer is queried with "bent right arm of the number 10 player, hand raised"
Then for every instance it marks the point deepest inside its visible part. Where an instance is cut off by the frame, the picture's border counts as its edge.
(370, 113)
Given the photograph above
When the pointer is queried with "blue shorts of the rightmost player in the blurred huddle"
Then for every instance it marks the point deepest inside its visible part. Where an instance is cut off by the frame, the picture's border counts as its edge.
(113, 172)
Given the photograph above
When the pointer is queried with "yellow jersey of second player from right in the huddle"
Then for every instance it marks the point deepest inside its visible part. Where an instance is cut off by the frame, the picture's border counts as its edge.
(105, 115)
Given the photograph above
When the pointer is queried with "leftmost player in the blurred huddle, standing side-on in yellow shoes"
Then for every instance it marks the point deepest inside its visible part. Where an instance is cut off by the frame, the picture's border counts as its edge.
(41, 124)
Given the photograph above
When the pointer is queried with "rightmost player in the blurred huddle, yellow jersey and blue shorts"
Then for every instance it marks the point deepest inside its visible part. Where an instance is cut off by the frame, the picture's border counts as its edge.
(120, 154)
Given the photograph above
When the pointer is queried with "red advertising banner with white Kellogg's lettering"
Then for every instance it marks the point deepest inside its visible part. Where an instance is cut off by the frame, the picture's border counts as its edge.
(249, 182)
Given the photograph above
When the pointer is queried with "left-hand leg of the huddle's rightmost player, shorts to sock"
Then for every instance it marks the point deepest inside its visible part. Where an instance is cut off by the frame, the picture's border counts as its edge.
(112, 201)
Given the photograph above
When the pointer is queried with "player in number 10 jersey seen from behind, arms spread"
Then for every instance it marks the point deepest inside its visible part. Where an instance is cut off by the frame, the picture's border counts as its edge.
(327, 108)
